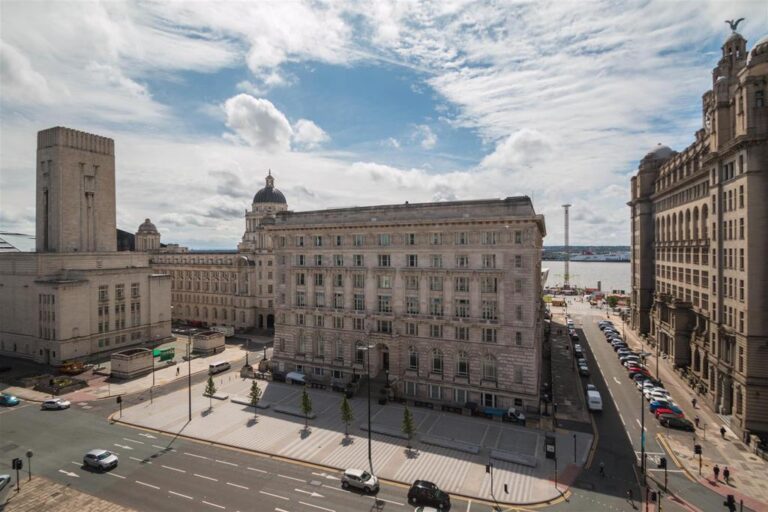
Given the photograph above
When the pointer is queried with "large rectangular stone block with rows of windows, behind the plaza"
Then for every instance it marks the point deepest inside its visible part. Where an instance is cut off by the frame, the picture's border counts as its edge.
(443, 300)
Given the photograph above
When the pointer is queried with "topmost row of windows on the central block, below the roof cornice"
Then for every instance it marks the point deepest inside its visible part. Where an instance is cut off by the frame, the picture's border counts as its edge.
(387, 239)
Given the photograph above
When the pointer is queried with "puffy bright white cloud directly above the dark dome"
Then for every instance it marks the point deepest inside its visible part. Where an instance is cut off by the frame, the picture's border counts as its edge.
(258, 122)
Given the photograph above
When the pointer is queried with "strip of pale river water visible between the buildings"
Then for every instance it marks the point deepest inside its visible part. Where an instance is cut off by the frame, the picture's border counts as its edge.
(613, 276)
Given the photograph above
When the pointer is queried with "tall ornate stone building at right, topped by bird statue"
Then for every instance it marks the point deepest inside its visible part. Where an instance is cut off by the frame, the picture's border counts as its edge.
(699, 241)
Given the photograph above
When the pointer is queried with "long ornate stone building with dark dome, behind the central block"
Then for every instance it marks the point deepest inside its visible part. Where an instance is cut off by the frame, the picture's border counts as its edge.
(227, 288)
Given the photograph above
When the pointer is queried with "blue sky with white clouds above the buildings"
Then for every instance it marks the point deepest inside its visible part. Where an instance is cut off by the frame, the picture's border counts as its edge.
(358, 103)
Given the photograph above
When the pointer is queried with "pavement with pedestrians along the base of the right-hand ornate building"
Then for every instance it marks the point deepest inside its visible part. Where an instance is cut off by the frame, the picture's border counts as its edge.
(748, 471)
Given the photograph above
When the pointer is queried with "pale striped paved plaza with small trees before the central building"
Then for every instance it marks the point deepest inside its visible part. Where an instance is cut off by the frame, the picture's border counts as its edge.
(446, 460)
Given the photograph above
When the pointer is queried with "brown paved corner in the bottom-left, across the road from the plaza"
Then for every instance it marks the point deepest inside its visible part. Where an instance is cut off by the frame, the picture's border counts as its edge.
(44, 494)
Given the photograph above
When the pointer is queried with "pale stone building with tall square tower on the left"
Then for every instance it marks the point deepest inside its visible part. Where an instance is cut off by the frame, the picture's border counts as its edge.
(76, 296)
